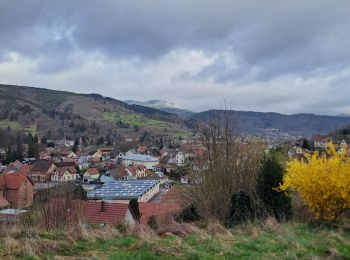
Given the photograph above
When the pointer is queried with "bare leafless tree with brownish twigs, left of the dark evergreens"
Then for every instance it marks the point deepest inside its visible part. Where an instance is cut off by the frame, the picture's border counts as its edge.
(227, 166)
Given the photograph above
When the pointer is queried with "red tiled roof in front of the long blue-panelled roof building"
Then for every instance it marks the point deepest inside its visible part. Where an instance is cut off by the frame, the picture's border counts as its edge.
(107, 212)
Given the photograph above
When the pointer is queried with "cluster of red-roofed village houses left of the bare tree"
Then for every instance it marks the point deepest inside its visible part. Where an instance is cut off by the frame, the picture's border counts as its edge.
(111, 179)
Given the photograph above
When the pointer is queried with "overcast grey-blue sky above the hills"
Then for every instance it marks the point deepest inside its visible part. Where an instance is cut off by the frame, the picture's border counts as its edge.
(283, 56)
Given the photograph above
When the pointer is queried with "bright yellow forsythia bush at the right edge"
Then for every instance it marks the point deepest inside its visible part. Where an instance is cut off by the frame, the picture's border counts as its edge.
(322, 181)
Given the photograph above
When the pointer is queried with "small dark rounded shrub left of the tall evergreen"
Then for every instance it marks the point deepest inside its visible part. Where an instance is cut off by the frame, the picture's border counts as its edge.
(241, 209)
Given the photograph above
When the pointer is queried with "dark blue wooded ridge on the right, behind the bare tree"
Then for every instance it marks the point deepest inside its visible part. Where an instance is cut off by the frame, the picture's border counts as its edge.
(260, 123)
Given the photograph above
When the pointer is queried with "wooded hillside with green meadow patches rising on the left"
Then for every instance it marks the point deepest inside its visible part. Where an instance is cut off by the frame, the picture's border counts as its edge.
(61, 114)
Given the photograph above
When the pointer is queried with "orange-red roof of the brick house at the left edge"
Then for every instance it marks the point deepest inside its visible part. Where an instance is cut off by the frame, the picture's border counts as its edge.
(14, 181)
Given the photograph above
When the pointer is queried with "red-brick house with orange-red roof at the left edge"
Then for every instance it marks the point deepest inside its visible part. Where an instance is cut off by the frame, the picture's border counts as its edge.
(16, 189)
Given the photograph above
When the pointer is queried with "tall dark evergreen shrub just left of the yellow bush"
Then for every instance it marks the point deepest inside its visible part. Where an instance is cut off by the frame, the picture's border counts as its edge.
(270, 176)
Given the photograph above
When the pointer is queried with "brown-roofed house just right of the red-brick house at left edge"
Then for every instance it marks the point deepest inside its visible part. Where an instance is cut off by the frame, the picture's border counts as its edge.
(42, 170)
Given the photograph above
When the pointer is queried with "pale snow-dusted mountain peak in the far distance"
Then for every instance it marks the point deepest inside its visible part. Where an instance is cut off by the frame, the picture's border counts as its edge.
(164, 106)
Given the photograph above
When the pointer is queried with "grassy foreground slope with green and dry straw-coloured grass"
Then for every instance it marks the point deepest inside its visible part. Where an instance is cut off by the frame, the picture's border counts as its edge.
(265, 241)
